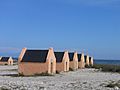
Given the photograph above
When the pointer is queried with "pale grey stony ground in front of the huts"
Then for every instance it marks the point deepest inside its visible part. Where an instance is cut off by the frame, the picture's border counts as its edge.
(82, 79)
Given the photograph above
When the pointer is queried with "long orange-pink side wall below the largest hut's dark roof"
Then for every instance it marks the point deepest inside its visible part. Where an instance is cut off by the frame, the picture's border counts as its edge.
(32, 68)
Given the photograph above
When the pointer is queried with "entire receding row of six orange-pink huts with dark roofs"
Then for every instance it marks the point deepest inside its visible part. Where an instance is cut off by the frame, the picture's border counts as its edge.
(32, 62)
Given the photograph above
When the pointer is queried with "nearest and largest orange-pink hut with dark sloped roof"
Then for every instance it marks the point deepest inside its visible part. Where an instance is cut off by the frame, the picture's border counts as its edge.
(33, 62)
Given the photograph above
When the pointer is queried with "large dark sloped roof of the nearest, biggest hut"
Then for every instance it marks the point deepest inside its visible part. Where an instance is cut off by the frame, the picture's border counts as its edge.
(35, 56)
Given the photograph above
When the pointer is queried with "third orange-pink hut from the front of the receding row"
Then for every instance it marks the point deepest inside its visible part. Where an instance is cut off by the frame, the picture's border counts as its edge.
(73, 61)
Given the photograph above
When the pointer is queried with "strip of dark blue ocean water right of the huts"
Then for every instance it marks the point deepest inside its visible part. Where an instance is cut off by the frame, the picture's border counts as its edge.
(112, 62)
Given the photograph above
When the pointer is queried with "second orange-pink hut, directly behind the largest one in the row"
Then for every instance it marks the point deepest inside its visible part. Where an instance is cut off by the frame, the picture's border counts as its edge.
(62, 61)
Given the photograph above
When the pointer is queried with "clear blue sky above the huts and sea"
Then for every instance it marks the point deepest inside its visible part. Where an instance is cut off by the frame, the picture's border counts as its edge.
(89, 26)
